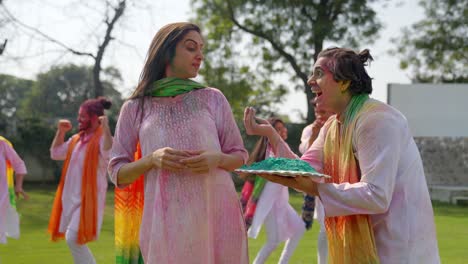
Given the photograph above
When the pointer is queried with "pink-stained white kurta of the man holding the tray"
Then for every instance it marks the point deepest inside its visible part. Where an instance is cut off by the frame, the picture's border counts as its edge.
(392, 190)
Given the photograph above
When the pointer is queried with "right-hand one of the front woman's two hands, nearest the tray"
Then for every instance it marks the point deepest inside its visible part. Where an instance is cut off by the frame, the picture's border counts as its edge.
(202, 161)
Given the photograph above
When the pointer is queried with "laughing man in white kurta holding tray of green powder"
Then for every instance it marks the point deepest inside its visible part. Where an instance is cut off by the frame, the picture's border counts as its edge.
(392, 188)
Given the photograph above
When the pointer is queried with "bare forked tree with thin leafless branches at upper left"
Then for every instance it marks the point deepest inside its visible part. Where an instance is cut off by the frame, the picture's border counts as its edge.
(114, 10)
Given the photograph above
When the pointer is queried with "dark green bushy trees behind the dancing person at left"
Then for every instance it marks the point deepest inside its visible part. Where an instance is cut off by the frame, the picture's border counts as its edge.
(30, 109)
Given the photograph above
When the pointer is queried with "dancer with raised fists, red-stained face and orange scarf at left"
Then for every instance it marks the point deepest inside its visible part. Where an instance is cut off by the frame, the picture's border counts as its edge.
(90, 118)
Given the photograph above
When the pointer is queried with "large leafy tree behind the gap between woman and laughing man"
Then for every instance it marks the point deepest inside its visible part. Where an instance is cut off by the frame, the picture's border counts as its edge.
(279, 35)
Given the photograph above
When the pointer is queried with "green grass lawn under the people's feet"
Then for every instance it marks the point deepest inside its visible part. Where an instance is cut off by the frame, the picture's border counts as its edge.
(34, 247)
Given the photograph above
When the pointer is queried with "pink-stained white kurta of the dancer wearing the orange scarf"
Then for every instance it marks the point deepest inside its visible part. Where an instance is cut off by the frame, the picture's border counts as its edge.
(71, 197)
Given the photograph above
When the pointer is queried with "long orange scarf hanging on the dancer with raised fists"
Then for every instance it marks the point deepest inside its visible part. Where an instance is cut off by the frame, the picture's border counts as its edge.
(87, 230)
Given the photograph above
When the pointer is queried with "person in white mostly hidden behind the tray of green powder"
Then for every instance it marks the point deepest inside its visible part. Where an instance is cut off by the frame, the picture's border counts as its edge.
(281, 221)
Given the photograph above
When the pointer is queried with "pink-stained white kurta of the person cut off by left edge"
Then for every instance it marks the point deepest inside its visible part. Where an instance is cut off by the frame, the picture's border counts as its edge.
(9, 226)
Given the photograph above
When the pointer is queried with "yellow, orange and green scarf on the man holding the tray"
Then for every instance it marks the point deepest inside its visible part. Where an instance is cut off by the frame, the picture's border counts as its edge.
(350, 238)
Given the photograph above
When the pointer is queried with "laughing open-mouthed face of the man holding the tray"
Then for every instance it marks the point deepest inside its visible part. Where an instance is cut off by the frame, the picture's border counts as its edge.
(328, 93)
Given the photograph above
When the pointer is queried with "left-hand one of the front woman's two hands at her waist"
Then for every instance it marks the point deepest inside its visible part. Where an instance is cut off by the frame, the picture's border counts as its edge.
(169, 159)
